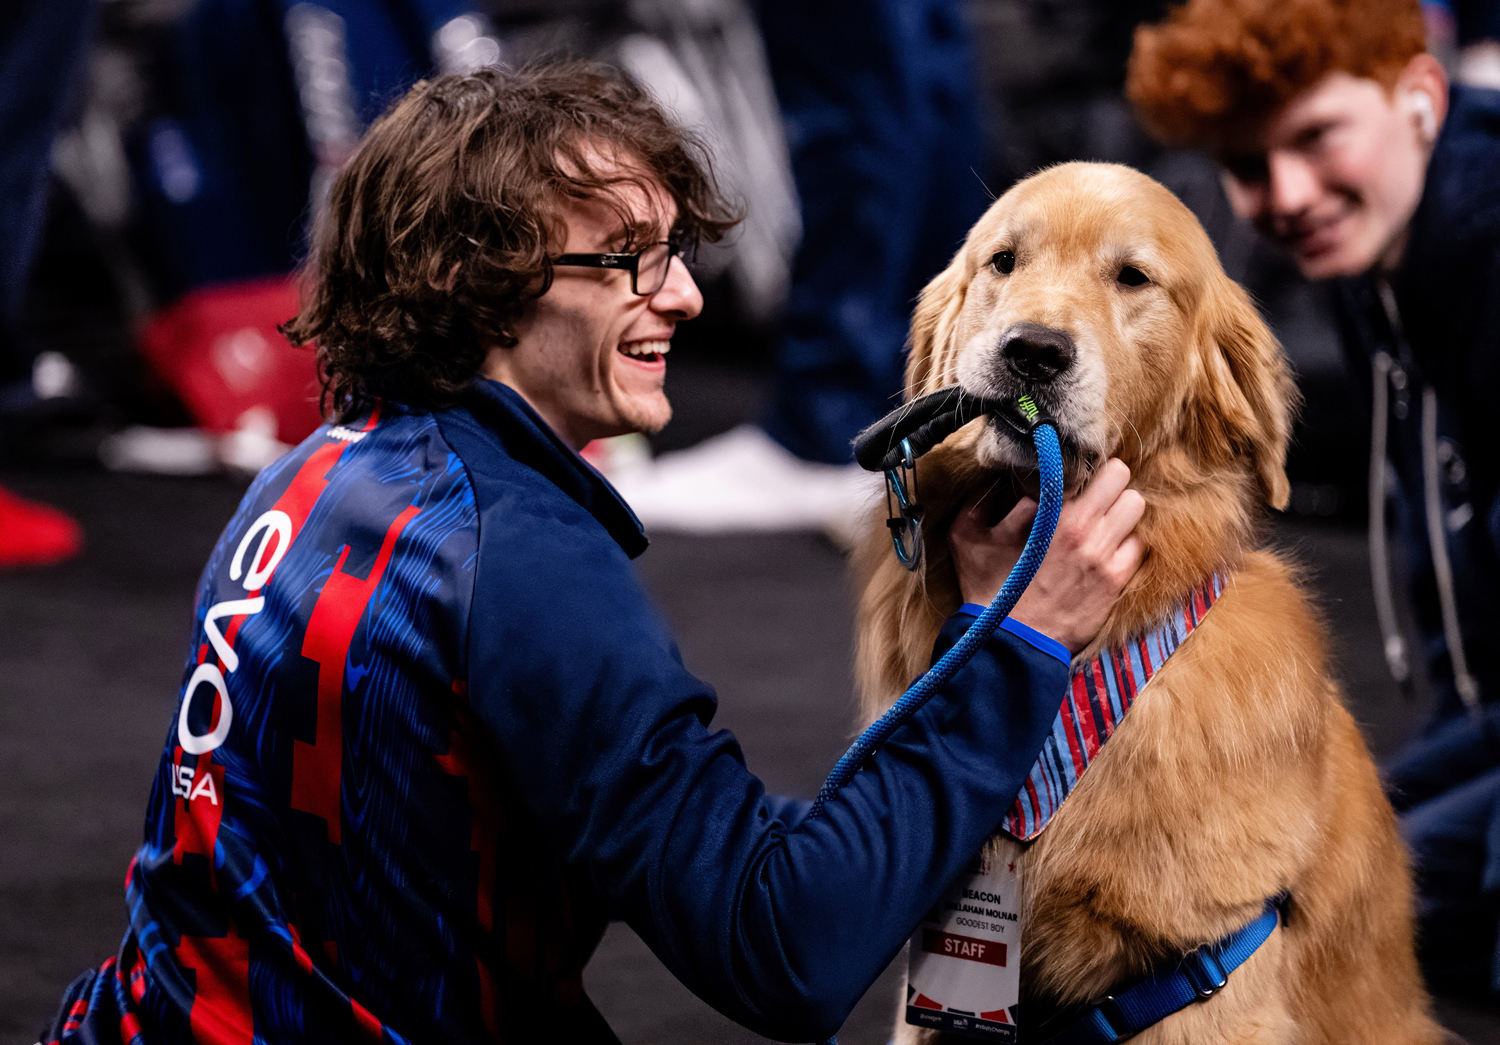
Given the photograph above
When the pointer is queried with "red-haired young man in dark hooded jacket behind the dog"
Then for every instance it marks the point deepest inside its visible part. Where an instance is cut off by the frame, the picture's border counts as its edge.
(1343, 143)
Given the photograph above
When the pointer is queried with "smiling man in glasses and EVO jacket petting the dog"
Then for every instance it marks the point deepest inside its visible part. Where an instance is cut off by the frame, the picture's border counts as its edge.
(433, 734)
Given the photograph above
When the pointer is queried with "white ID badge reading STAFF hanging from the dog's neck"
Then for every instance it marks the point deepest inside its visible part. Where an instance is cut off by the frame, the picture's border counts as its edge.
(964, 966)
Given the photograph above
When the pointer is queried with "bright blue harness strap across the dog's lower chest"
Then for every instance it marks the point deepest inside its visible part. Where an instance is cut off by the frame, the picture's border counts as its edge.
(1201, 975)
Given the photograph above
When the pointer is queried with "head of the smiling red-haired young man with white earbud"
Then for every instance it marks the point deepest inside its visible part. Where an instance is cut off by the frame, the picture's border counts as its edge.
(1322, 113)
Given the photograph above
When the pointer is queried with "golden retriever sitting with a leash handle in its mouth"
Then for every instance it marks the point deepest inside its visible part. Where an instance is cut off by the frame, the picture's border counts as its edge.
(1238, 774)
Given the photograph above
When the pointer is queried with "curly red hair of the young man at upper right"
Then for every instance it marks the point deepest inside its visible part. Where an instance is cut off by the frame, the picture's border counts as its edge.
(1220, 68)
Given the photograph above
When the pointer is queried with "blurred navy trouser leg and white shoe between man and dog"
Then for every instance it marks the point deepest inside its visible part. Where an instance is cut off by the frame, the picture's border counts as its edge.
(881, 112)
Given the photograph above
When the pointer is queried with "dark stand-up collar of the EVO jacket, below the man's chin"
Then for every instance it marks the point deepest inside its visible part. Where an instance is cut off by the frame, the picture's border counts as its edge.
(532, 442)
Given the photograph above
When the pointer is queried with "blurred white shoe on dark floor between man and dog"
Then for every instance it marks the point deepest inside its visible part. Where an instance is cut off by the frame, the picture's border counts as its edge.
(745, 482)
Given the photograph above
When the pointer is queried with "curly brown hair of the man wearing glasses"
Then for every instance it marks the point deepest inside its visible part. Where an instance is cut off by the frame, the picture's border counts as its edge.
(437, 235)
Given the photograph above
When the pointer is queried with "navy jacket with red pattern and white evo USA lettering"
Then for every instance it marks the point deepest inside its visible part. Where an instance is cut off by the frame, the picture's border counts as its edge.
(434, 737)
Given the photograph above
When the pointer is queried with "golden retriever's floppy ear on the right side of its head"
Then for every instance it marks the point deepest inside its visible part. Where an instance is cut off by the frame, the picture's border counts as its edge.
(1244, 395)
